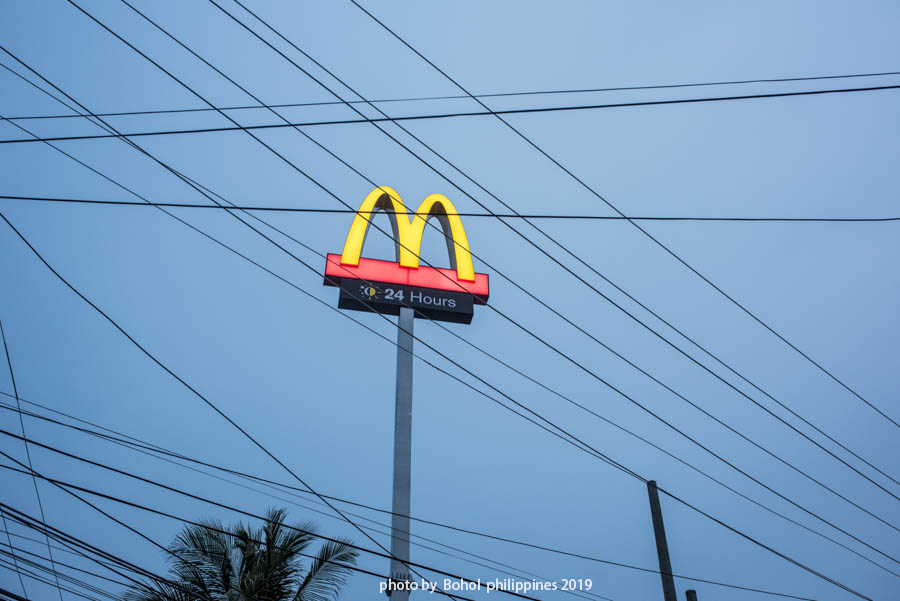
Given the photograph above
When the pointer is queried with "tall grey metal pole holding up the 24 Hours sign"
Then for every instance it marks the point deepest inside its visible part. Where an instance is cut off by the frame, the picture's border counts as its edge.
(402, 452)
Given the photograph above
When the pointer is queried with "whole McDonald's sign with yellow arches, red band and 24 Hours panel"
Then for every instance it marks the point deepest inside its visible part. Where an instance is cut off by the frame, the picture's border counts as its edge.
(385, 286)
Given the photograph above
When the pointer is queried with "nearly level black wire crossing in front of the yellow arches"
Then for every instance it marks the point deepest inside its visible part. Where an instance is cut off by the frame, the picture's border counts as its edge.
(184, 205)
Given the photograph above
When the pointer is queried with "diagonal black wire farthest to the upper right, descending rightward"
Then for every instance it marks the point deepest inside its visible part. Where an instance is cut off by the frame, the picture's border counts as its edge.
(498, 114)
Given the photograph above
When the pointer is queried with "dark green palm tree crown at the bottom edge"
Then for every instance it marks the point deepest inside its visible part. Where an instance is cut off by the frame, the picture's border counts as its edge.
(212, 562)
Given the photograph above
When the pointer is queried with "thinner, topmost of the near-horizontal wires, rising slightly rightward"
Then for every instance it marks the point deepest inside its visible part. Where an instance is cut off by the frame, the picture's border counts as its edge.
(461, 96)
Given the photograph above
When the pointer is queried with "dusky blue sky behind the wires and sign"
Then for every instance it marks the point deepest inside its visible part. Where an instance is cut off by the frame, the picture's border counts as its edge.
(316, 389)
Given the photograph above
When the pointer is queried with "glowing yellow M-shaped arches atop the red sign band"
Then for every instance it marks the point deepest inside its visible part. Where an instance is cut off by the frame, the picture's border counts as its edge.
(408, 234)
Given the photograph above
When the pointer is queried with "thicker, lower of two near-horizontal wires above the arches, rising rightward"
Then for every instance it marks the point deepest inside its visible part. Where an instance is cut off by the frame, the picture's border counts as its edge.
(549, 109)
